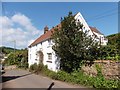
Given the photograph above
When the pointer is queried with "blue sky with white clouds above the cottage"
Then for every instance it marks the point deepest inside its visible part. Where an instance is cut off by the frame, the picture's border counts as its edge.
(23, 22)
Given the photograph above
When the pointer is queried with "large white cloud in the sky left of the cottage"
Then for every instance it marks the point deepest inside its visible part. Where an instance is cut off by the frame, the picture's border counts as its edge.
(19, 28)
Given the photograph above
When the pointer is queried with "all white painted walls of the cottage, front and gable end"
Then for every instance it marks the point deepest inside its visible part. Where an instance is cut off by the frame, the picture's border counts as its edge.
(45, 47)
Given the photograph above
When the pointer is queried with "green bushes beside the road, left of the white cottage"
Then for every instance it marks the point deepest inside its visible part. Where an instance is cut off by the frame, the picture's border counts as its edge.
(19, 58)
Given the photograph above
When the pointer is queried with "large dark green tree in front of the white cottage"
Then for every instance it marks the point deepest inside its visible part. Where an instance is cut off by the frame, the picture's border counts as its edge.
(73, 45)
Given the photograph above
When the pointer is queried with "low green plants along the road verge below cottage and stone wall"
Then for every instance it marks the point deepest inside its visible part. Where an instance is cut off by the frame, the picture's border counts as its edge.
(78, 77)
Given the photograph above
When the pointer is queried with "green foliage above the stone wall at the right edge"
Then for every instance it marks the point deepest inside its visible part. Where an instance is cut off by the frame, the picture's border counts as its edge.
(112, 50)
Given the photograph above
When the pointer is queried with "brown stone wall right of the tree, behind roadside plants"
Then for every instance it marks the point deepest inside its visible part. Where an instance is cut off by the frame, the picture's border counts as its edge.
(109, 69)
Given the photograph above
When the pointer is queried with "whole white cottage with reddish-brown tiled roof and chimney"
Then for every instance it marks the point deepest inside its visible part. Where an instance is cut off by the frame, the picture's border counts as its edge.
(41, 49)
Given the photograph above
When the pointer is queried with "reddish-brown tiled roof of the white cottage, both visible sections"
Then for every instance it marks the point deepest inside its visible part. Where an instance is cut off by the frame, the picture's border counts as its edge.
(48, 34)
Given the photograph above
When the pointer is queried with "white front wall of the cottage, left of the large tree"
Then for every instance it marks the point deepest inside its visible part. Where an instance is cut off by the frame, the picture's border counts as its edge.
(45, 47)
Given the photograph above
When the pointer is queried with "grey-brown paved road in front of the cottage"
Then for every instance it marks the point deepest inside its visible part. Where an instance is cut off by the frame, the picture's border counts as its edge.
(24, 79)
